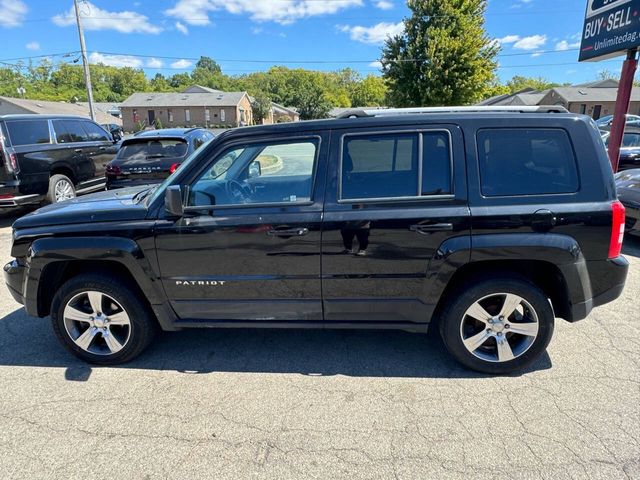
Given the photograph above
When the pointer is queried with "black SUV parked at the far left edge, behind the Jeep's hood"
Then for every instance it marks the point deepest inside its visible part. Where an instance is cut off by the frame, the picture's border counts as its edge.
(50, 158)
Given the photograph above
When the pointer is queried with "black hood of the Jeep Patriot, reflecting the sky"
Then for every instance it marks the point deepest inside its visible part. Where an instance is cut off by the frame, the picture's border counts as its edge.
(107, 206)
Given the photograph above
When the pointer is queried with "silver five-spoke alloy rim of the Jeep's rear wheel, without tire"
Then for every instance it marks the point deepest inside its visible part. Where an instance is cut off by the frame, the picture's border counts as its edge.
(499, 327)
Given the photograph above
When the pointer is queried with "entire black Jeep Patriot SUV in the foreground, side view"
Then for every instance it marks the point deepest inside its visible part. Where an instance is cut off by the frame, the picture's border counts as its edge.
(488, 224)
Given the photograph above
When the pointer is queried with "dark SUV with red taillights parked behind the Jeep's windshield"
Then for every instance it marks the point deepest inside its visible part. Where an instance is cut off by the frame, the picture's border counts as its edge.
(153, 155)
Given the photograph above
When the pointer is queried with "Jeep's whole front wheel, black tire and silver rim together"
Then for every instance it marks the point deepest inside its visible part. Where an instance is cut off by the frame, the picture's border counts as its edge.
(101, 320)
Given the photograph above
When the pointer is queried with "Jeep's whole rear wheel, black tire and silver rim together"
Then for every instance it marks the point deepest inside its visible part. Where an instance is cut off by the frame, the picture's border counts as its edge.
(497, 326)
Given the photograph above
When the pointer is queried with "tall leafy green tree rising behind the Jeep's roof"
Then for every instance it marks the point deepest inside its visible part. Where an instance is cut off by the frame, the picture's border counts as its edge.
(443, 57)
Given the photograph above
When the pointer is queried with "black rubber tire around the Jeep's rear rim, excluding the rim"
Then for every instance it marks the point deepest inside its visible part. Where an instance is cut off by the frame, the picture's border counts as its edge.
(451, 320)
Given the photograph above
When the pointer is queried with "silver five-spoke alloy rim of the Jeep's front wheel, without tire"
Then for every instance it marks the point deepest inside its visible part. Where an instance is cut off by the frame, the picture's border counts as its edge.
(97, 323)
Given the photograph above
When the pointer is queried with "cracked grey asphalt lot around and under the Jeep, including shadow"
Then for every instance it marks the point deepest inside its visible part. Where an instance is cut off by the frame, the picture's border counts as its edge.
(242, 404)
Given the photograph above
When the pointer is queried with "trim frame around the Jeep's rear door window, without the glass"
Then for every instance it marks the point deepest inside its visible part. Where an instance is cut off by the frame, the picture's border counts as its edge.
(419, 197)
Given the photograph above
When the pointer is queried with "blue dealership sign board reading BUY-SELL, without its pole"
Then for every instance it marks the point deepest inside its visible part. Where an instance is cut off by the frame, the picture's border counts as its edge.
(611, 27)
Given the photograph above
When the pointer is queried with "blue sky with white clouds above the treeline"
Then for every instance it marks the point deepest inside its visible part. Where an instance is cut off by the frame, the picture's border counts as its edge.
(538, 37)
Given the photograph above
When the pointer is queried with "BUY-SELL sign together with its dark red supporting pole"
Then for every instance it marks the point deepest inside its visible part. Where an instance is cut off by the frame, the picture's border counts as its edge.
(612, 28)
